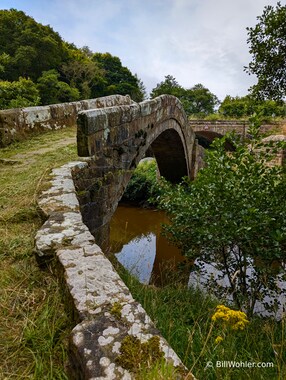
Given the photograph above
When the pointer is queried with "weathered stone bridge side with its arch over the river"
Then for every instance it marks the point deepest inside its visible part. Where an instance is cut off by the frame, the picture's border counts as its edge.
(117, 138)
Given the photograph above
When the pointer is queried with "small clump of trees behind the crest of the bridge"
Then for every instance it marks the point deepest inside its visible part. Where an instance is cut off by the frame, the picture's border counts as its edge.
(198, 100)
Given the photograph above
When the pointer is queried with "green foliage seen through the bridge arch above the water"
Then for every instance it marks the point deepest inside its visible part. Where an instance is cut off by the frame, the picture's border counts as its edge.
(142, 183)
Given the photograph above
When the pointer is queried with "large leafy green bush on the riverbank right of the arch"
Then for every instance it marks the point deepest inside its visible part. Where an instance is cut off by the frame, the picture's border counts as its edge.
(232, 218)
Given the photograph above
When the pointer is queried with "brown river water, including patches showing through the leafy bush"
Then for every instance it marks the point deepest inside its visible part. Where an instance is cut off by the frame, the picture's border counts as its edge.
(137, 243)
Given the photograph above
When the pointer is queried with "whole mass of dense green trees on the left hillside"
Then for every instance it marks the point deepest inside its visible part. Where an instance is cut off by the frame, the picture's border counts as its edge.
(58, 70)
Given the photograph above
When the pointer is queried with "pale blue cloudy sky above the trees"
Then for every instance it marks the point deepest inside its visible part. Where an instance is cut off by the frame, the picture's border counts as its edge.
(195, 41)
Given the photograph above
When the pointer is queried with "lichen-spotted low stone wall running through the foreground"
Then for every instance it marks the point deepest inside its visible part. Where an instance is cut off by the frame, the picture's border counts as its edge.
(105, 310)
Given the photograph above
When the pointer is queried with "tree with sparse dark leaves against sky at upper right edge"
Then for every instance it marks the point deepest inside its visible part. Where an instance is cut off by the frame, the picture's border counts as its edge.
(267, 42)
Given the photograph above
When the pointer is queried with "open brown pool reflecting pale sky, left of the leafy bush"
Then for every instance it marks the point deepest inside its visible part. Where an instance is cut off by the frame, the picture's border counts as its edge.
(136, 241)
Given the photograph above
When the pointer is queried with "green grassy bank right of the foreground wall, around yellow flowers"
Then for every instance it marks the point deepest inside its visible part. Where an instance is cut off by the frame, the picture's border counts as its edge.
(184, 318)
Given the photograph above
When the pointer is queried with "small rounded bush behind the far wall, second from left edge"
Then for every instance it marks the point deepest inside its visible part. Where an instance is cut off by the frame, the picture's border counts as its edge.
(52, 90)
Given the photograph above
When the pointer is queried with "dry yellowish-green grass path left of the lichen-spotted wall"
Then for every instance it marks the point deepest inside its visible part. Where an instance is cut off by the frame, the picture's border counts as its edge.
(34, 326)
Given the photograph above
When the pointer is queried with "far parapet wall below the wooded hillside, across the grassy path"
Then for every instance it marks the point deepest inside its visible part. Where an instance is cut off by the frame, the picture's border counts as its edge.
(19, 123)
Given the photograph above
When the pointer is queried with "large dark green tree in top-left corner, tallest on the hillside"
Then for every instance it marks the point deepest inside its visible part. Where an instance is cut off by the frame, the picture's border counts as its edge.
(32, 47)
